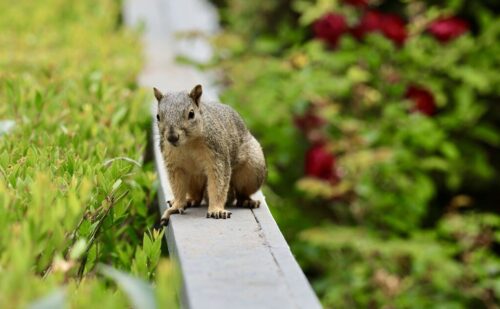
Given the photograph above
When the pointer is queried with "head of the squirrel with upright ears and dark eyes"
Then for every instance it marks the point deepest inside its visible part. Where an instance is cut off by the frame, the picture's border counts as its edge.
(179, 116)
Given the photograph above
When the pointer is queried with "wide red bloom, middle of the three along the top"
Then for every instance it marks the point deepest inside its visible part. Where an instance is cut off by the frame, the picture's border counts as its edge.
(390, 25)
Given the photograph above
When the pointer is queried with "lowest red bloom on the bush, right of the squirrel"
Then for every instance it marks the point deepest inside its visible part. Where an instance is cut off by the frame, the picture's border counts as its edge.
(320, 163)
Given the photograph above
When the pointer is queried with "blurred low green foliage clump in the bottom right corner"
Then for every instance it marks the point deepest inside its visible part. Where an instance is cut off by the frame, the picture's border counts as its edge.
(451, 267)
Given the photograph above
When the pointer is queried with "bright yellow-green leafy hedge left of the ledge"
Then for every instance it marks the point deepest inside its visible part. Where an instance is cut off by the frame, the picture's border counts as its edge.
(74, 188)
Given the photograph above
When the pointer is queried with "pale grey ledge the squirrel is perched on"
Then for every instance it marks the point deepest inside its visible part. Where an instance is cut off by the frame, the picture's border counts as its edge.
(241, 262)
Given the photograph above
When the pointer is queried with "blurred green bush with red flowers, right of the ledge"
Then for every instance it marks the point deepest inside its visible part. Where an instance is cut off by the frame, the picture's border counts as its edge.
(379, 120)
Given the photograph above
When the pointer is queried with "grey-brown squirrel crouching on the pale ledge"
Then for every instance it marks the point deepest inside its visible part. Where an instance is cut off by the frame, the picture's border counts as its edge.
(208, 152)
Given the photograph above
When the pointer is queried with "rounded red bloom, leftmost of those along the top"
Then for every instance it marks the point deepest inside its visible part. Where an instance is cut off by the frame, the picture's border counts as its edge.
(330, 28)
